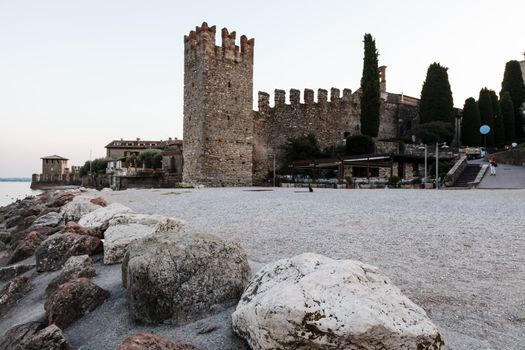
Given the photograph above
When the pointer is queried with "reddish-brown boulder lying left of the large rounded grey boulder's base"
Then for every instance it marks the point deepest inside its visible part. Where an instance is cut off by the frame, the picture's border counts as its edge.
(72, 300)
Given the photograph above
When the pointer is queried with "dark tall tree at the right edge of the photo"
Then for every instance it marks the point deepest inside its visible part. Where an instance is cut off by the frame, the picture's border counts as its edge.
(513, 83)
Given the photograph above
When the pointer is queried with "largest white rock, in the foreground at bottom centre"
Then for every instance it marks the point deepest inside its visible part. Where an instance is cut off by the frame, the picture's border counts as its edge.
(314, 302)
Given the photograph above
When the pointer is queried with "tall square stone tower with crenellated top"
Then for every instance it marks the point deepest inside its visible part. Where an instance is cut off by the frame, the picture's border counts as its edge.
(218, 119)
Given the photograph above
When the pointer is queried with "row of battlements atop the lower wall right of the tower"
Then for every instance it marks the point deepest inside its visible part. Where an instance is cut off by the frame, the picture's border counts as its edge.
(295, 98)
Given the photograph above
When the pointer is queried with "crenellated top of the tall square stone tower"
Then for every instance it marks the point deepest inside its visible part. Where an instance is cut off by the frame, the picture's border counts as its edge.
(202, 39)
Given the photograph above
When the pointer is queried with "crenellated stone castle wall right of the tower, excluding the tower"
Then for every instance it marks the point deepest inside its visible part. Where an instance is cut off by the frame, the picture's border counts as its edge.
(329, 120)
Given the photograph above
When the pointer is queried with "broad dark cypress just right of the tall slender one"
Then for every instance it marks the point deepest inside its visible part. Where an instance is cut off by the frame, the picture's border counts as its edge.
(436, 96)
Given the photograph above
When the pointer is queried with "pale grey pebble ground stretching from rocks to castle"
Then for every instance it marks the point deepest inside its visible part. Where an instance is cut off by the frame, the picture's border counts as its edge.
(458, 254)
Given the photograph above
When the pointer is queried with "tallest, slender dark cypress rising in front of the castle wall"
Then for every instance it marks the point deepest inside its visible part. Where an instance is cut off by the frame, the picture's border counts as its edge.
(370, 89)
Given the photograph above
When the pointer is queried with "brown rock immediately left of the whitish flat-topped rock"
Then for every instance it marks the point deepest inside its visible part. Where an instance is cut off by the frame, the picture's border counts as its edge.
(55, 250)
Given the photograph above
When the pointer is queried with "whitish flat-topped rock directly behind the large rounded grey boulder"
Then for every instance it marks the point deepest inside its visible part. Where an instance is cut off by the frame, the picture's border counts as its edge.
(127, 227)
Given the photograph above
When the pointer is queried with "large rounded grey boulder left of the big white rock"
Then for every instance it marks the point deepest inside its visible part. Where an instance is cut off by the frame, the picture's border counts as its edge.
(181, 277)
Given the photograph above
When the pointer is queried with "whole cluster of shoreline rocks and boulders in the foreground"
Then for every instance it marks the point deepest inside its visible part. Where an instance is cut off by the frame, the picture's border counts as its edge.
(176, 277)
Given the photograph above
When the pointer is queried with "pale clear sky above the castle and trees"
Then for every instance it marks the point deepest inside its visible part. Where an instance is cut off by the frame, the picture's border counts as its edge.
(75, 75)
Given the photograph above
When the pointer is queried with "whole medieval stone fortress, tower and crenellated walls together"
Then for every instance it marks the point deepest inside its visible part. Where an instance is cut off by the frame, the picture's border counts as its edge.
(227, 143)
